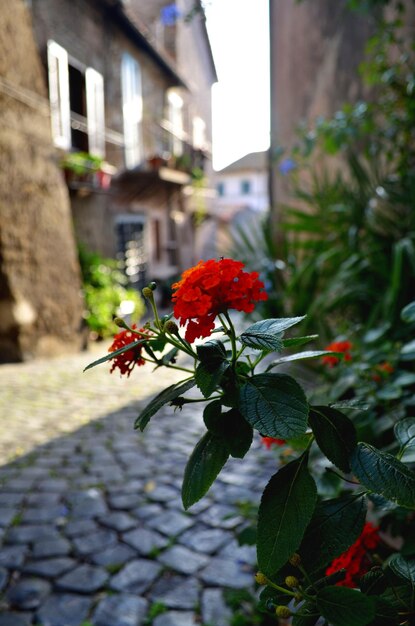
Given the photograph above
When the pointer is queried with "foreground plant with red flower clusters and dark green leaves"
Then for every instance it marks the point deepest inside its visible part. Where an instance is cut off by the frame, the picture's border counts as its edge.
(317, 555)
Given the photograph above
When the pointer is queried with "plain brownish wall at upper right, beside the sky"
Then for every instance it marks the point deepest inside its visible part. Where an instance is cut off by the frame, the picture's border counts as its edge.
(317, 47)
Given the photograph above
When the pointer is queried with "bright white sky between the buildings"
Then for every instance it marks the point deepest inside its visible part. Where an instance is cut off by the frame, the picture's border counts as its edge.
(238, 33)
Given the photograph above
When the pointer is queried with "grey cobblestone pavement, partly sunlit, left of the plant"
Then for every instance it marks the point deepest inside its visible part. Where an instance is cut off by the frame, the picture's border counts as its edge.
(92, 527)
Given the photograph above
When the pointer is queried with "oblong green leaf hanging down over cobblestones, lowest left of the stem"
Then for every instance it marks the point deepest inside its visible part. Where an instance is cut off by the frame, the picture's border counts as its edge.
(205, 463)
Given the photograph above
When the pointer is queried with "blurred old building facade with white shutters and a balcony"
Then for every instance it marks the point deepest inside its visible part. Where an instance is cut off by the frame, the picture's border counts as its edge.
(129, 85)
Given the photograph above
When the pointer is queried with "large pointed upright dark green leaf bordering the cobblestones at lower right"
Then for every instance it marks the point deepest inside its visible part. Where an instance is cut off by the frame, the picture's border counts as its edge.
(286, 508)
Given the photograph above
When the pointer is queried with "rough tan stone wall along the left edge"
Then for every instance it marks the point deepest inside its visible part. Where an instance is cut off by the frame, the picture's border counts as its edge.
(40, 297)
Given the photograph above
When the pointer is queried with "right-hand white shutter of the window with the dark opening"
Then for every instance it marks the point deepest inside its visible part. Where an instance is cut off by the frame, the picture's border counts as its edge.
(95, 111)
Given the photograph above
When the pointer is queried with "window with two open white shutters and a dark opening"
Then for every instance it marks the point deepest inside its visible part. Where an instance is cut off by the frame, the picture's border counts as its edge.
(76, 98)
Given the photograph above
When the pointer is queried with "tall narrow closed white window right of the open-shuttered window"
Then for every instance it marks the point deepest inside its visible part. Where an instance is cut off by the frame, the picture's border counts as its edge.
(132, 110)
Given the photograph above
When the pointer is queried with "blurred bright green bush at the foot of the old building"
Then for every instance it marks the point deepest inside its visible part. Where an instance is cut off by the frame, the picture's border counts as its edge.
(105, 287)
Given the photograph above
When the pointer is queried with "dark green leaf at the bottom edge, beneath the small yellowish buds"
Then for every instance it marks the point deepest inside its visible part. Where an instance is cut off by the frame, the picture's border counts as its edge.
(345, 607)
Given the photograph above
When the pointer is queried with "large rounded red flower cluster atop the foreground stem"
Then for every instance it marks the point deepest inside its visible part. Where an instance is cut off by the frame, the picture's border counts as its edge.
(210, 288)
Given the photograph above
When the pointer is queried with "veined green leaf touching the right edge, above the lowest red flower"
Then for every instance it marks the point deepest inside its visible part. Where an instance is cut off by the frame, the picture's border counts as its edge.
(384, 474)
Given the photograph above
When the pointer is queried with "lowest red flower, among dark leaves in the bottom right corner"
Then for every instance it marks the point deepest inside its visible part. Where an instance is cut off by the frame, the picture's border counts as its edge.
(356, 560)
